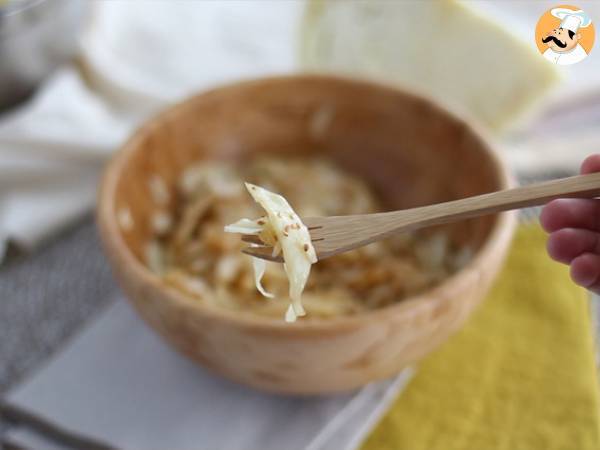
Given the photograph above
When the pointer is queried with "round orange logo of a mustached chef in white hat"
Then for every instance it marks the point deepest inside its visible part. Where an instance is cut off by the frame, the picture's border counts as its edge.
(565, 35)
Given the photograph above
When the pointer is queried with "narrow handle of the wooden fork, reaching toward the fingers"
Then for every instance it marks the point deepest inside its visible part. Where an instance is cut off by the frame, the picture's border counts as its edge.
(580, 186)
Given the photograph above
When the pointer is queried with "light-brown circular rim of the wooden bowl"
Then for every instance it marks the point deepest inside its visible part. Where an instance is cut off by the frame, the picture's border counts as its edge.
(497, 241)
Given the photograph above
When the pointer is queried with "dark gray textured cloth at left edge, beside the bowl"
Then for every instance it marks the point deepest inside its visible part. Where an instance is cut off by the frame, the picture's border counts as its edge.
(46, 296)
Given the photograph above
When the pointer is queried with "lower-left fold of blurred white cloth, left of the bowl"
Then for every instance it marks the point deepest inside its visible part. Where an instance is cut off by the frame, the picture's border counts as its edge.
(50, 158)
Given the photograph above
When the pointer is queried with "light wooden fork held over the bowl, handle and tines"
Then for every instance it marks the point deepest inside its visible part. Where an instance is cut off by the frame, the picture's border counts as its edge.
(338, 234)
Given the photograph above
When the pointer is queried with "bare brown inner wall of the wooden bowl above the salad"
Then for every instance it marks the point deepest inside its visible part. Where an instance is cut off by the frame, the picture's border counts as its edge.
(410, 151)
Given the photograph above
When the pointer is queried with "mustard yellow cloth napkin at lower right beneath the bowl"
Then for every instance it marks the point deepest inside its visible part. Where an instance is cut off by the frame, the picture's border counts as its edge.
(520, 375)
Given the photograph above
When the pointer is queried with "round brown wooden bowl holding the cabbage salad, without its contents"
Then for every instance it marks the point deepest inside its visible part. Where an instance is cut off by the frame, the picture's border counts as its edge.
(410, 150)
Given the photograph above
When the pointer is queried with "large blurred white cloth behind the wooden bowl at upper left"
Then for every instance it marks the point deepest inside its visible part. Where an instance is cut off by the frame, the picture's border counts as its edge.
(138, 58)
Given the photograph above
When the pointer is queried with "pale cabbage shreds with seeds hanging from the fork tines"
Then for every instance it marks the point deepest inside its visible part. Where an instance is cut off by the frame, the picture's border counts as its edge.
(282, 229)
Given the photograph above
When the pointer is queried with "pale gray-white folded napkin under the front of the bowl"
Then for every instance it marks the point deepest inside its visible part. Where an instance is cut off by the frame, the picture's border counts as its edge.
(120, 384)
